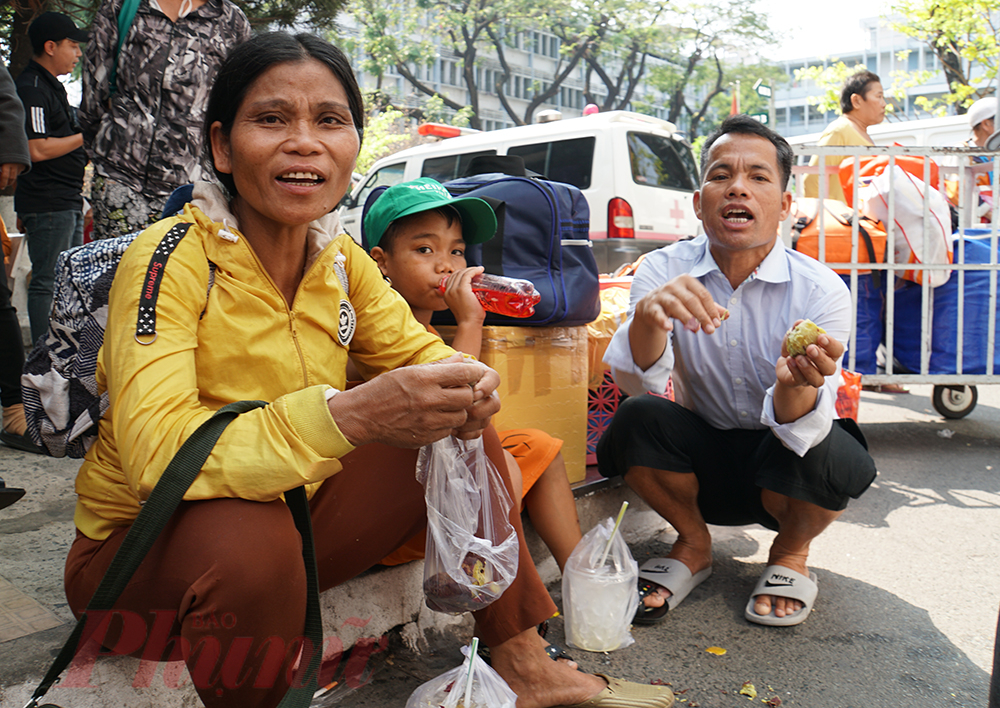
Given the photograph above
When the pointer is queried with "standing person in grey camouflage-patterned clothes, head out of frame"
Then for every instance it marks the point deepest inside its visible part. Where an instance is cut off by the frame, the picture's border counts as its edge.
(145, 140)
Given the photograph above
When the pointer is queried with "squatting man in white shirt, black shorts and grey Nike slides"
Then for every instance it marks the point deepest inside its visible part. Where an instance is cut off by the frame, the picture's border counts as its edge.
(752, 437)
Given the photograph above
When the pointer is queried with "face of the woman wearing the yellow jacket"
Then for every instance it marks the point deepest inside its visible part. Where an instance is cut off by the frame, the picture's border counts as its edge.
(292, 147)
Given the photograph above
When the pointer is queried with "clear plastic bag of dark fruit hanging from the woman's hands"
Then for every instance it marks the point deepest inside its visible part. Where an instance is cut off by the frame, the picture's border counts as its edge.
(471, 554)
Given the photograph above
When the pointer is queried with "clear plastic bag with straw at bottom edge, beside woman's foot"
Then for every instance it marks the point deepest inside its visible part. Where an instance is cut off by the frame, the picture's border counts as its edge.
(488, 690)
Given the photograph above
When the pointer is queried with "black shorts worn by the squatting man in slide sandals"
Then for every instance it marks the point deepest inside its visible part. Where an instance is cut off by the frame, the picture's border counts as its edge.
(732, 466)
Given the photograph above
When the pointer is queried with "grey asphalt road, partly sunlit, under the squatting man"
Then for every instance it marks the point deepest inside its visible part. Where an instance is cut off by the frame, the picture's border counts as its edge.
(909, 589)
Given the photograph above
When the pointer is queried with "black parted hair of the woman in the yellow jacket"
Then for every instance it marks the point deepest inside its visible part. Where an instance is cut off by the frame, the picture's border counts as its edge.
(247, 61)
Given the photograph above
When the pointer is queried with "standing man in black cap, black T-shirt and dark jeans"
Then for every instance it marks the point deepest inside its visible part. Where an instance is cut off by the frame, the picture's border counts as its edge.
(48, 199)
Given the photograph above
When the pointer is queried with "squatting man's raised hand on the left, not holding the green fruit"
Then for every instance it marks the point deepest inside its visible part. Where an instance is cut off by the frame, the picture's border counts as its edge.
(683, 299)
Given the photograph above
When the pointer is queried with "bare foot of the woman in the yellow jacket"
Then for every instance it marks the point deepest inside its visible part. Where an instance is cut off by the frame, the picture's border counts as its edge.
(538, 681)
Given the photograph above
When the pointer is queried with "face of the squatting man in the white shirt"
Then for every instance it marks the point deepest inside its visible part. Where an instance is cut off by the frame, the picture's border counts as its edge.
(741, 201)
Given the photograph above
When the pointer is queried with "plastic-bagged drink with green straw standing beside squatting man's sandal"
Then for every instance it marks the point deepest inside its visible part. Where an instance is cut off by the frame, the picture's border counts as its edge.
(599, 601)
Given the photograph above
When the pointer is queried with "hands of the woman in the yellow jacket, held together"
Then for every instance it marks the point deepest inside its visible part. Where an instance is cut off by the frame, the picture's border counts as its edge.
(417, 405)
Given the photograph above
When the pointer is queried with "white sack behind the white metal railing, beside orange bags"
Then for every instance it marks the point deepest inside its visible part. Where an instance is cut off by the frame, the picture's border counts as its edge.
(910, 237)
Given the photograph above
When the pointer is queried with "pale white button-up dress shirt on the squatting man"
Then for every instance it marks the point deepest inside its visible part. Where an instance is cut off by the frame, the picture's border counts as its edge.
(728, 377)
